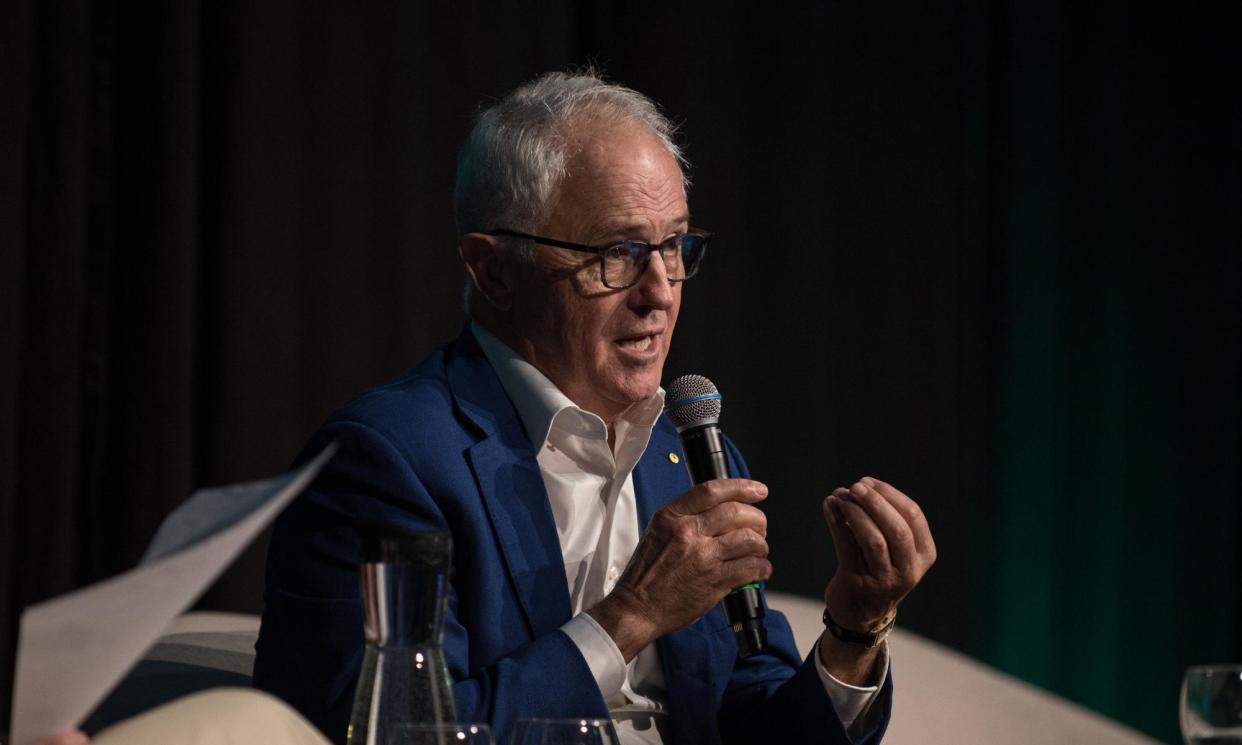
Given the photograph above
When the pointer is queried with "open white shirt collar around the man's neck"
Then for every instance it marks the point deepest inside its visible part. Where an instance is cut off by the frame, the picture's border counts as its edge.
(538, 400)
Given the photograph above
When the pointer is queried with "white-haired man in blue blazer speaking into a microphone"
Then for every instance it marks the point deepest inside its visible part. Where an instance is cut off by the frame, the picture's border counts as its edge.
(589, 571)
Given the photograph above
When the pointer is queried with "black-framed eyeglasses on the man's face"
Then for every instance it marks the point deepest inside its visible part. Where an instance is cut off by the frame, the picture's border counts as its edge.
(623, 264)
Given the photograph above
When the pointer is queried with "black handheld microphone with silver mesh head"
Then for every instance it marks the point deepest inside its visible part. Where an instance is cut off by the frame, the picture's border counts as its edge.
(695, 409)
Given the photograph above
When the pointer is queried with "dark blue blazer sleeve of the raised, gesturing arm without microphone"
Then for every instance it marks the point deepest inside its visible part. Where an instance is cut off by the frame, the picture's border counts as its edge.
(779, 697)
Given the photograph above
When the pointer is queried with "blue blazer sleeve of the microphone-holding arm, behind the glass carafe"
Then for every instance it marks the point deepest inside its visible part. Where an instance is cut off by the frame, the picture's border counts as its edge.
(311, 643)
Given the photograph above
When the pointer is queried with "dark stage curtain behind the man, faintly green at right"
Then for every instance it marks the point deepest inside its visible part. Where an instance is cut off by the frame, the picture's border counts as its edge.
(987, 251)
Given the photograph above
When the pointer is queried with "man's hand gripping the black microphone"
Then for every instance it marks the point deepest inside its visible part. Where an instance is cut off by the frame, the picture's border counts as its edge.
(695, 551)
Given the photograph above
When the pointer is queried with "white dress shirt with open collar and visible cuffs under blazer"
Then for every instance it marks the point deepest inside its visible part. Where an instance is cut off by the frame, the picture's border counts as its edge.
(591, 487)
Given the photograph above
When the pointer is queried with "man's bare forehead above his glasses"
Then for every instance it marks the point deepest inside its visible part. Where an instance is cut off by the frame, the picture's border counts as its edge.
(619, 177)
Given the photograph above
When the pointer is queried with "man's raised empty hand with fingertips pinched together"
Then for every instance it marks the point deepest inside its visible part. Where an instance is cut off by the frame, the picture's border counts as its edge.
(884, 548)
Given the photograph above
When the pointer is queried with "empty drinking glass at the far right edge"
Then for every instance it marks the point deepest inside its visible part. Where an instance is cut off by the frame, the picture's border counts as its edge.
(1212, 706)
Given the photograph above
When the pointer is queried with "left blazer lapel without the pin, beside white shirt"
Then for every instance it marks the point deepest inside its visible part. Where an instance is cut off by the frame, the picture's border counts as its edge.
(512, 487)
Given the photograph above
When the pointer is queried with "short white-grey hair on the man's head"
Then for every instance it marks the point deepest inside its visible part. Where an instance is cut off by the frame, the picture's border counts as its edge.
(517, 155)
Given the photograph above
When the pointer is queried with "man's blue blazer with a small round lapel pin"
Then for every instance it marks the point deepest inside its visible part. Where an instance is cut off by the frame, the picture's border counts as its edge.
(443, 449)
